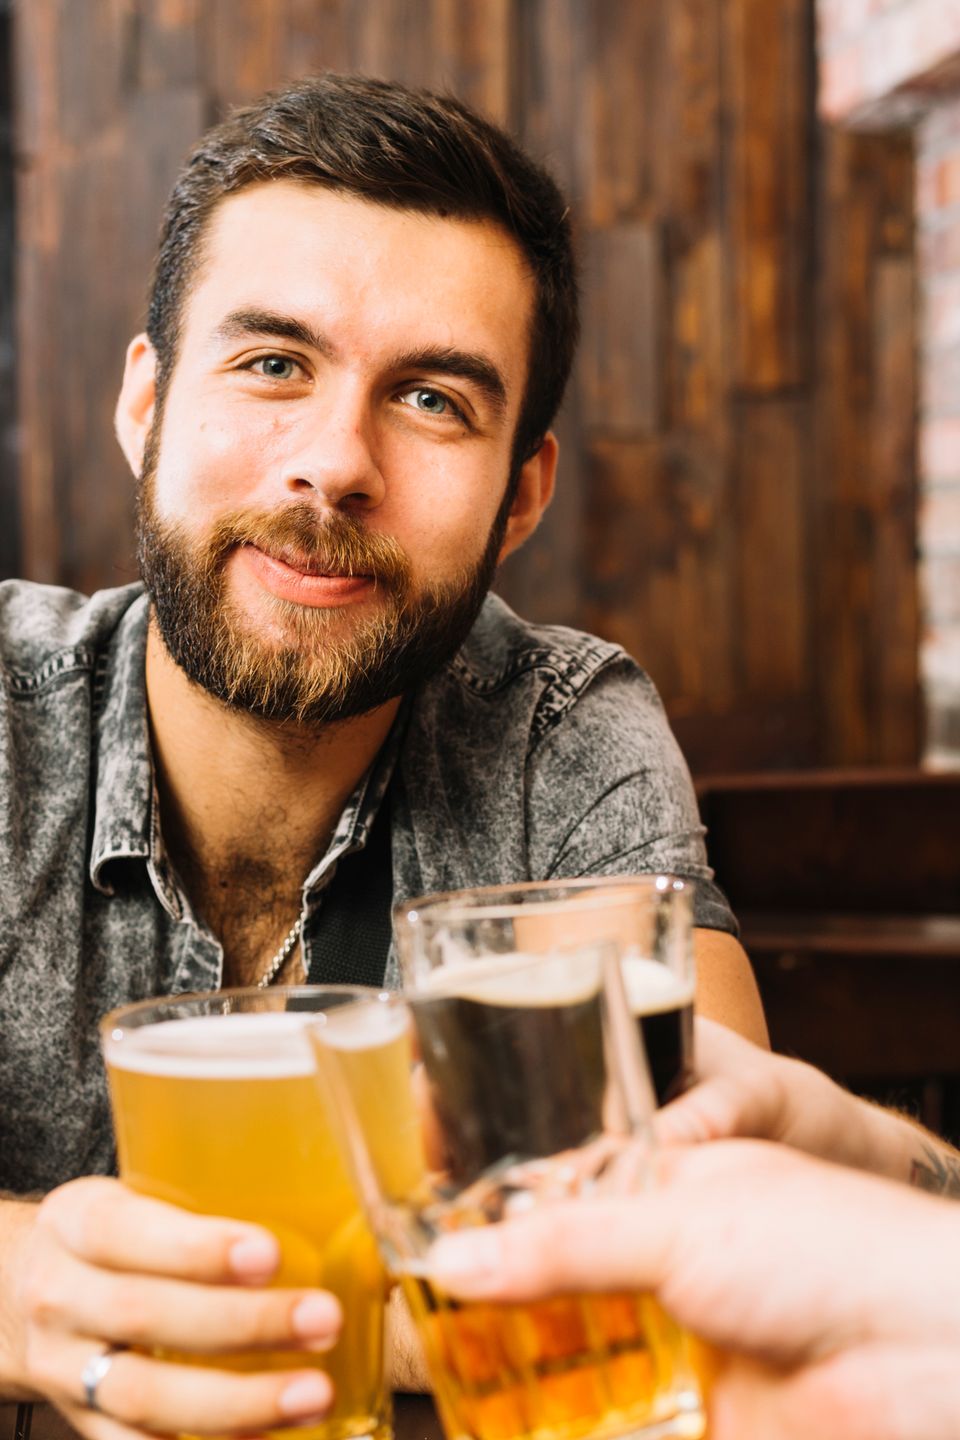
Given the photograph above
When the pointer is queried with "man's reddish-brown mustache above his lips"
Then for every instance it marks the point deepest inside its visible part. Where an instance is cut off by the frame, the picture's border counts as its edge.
(336, 544)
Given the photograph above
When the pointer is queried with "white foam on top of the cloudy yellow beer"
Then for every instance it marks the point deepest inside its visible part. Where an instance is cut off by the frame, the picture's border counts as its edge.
(270, 1046)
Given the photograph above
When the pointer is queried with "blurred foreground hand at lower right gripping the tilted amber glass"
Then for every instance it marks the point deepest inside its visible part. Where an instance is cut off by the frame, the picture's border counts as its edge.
(836, 1295)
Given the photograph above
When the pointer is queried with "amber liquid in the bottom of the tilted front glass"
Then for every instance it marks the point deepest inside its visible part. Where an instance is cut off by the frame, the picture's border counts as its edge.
(558, 1370)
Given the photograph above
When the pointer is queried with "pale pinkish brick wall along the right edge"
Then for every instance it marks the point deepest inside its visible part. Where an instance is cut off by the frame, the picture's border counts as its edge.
(890, 64)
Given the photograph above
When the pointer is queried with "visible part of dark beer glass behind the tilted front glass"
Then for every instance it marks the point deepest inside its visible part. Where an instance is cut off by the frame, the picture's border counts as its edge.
(648, 919)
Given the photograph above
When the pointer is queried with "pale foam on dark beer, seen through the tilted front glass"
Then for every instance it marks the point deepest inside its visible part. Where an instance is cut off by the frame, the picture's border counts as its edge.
(517, 980)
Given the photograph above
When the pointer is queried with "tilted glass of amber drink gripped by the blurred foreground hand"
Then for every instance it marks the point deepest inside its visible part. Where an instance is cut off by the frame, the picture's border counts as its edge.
(523, 1082)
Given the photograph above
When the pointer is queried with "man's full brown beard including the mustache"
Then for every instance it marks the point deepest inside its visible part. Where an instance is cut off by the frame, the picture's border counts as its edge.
(316, 666)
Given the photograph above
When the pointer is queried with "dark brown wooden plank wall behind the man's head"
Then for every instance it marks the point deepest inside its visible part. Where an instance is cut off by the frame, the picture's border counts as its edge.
(738, 495)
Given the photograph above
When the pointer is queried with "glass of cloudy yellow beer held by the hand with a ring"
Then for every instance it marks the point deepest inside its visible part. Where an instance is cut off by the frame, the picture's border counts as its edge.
(217, 1110)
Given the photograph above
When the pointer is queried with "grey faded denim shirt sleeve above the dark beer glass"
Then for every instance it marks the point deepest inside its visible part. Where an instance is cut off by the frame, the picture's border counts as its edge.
(610, 794)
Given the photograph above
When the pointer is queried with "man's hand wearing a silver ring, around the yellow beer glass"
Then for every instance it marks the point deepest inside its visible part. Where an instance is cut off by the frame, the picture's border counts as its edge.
(104, 1266)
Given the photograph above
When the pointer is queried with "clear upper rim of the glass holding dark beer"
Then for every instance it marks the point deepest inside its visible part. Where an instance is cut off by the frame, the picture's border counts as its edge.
(480, 904)
